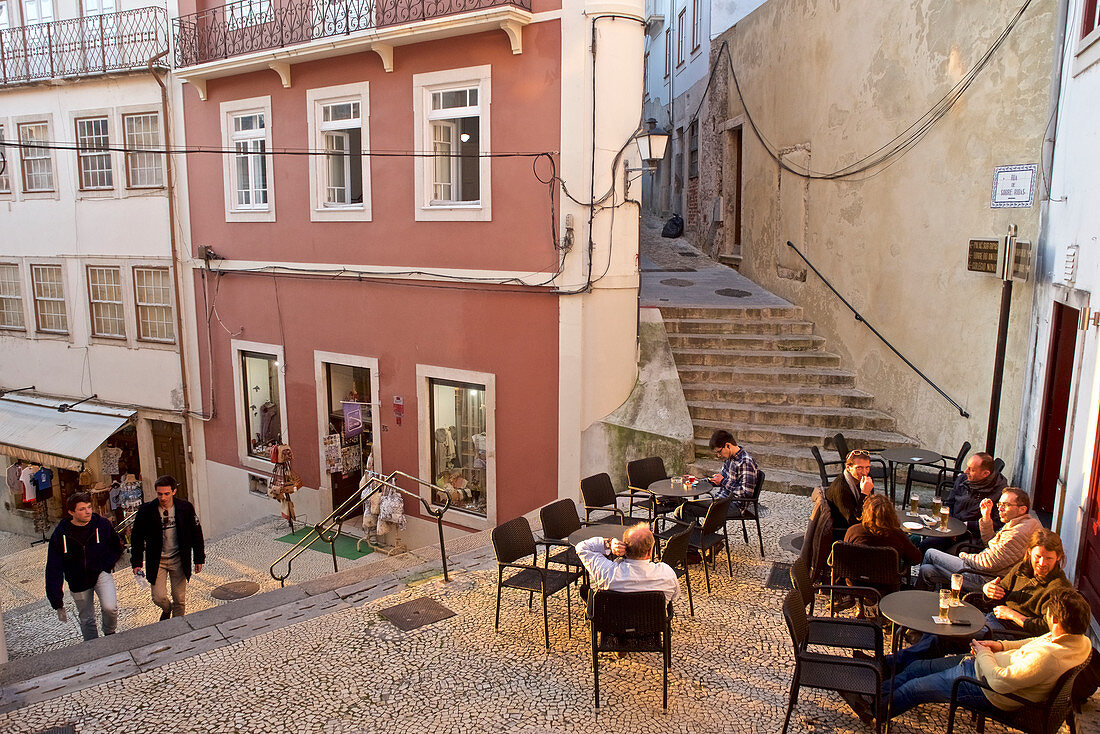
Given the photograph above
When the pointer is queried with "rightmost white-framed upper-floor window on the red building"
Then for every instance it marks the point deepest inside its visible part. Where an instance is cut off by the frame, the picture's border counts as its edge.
(453, 109)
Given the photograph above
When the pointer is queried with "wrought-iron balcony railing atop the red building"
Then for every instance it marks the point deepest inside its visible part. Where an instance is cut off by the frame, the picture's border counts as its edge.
(249, 26)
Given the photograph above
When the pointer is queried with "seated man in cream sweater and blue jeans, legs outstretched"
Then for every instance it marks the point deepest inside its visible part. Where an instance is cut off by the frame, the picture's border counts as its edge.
(1028, 669)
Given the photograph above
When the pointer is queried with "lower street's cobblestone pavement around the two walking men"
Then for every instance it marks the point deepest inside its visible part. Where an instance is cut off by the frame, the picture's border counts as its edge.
(32, 627)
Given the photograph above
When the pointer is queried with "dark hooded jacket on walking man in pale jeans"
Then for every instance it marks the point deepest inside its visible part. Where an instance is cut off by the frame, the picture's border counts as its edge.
(80, 564)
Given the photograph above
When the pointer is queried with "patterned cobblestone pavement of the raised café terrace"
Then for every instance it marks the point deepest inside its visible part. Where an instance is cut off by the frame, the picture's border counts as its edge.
(354, 672)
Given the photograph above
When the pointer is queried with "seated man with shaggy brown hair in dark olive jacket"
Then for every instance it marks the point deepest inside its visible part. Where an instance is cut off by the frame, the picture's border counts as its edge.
(1020, 598)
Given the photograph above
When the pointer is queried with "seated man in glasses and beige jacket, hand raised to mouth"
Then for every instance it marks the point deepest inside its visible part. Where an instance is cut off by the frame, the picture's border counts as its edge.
(1003, 552)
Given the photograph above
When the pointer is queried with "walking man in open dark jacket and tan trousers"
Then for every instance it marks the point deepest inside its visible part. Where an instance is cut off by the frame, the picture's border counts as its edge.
(169, 538)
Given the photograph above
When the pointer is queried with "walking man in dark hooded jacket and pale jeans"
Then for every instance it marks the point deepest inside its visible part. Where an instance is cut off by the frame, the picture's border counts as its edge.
(83, 552)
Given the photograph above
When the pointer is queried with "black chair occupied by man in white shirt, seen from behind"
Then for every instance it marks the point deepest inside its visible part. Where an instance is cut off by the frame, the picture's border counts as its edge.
(631, 622)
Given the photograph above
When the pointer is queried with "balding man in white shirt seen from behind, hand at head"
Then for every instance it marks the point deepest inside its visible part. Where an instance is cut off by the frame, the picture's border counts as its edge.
(636, 572)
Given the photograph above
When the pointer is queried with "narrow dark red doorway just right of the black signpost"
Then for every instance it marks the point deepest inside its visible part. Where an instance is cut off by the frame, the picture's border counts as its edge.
(1057, 395)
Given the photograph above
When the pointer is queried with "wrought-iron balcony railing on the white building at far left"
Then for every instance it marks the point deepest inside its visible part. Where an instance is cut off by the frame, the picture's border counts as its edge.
(94, 45)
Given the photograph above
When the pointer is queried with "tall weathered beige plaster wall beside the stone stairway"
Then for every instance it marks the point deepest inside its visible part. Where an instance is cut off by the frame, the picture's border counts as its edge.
(894, 244)
